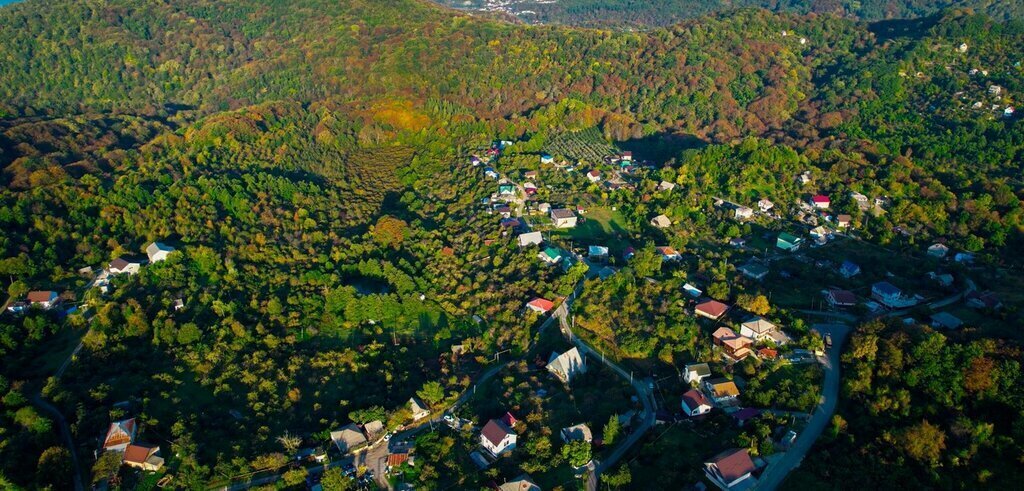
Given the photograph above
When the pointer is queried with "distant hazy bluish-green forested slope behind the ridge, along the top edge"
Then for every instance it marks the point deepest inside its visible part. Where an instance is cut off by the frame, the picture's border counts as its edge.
(615, 14)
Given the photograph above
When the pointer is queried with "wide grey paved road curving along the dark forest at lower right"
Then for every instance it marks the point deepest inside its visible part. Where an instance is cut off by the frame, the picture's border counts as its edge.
(778, 471)
